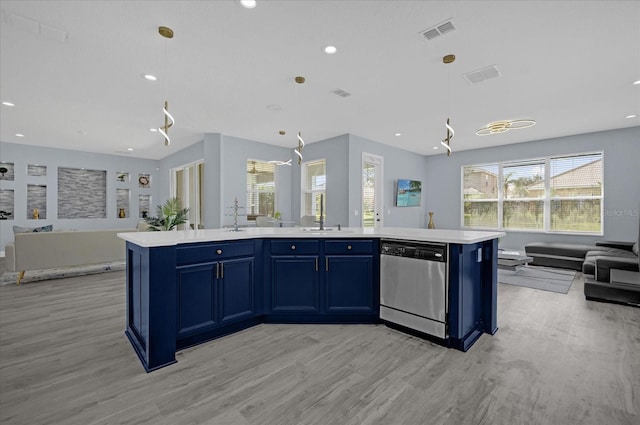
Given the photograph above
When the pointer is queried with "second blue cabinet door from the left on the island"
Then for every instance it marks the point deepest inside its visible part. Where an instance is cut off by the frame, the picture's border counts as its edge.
(237, 288)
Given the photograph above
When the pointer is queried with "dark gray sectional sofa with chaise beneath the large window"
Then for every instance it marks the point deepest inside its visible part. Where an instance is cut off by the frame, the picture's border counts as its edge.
(596, 263)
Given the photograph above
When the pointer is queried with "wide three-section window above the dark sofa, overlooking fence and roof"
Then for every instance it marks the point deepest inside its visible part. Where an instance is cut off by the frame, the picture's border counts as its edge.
(554, 194)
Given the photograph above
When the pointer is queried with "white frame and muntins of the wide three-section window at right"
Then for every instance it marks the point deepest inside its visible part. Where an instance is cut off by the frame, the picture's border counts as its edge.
(547, 197)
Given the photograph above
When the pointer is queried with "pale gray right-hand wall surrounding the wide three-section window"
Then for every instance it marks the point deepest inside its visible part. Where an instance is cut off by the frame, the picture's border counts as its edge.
(621, 181)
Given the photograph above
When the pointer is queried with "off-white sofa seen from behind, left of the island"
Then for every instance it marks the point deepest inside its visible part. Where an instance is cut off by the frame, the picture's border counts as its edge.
(45, 250)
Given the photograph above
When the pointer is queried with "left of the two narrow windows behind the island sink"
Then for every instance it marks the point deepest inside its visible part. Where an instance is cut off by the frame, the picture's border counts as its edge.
(261, 189)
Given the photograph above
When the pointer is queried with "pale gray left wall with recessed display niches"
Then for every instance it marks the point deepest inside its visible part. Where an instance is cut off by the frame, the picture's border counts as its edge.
(23, 155)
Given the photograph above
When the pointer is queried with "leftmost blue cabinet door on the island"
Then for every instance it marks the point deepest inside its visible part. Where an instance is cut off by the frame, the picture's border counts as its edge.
(197, 298)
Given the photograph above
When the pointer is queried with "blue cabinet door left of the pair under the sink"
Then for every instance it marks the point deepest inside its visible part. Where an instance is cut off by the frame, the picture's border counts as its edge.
(294, 284)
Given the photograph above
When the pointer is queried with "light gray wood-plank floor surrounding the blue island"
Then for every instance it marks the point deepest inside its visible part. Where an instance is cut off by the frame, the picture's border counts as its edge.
(556, 359)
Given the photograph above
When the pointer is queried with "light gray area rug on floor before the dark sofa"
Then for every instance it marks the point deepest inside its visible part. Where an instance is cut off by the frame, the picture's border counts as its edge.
(544, 278)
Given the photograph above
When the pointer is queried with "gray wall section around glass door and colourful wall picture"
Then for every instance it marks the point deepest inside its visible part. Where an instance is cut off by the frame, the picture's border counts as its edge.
(397, 164)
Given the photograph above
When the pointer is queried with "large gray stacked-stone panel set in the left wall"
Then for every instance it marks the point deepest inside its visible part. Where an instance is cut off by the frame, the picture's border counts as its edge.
(82, 193)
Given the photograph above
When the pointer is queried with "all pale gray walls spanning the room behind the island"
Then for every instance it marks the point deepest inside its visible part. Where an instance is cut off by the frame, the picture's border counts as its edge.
(225, 175)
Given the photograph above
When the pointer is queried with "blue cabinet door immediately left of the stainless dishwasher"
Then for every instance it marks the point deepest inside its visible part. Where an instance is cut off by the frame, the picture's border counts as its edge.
(349, 284)
